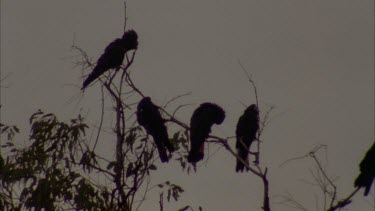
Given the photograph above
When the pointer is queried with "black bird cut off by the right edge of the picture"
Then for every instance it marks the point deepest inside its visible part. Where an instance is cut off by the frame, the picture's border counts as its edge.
(367, 167)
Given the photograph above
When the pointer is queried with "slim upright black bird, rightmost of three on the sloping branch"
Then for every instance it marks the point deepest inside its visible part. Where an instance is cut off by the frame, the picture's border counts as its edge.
(246, 130)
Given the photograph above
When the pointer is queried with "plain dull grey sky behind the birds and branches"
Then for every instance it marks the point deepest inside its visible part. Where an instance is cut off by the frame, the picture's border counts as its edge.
(312, 60)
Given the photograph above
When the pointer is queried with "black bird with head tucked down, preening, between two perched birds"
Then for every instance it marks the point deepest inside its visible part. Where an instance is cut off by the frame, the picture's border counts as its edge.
(201, 122)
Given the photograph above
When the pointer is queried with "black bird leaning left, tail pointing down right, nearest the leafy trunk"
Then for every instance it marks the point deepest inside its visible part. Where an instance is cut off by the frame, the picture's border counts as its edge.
(149, 117)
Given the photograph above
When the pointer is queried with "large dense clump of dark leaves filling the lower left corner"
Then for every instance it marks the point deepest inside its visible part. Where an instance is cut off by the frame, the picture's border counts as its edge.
(46, 174)
